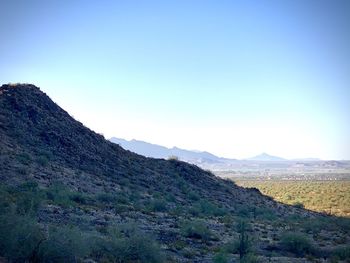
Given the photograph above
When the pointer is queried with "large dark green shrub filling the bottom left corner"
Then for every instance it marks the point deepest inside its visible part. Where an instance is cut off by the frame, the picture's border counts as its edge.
(20, 237)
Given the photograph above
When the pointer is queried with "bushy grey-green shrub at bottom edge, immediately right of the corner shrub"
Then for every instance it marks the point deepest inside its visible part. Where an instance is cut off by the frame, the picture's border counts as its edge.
(63, 244)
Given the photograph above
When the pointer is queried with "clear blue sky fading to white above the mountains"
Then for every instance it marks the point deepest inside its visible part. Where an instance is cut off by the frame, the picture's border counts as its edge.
(235, 78)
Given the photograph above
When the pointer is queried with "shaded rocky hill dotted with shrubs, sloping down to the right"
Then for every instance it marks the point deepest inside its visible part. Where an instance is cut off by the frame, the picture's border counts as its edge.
(78, 196)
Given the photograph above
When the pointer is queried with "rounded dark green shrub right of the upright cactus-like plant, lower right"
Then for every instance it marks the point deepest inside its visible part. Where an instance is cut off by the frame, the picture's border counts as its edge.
(296, 243)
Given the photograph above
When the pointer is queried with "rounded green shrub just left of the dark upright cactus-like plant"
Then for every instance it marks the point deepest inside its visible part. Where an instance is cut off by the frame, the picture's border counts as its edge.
(196, 229)
